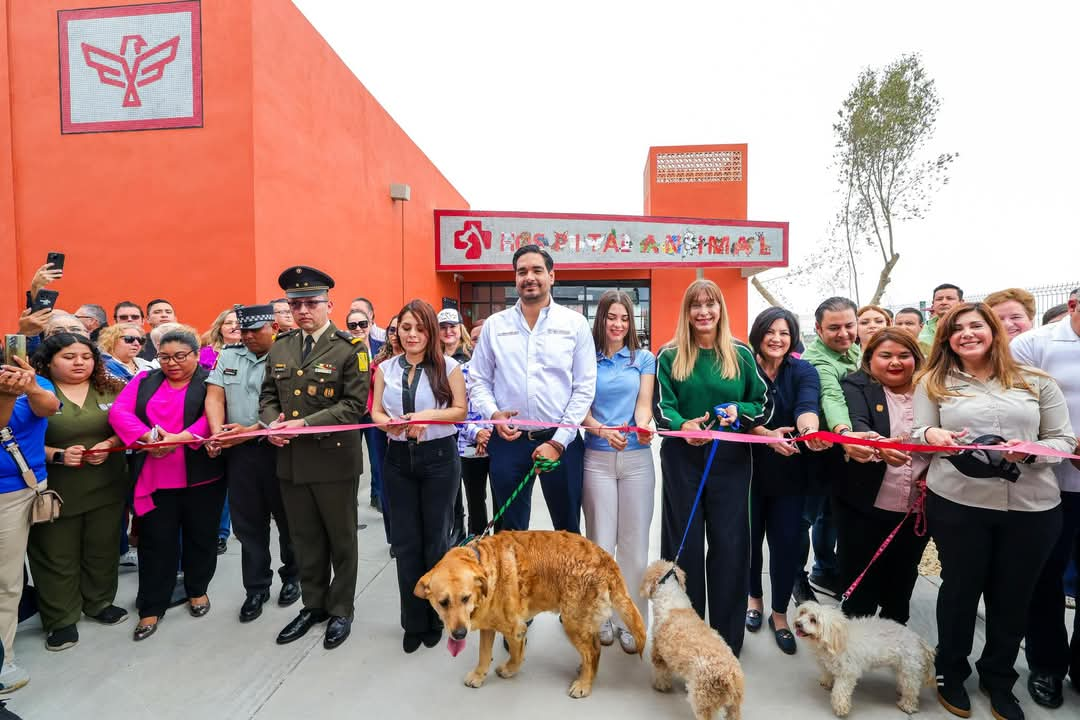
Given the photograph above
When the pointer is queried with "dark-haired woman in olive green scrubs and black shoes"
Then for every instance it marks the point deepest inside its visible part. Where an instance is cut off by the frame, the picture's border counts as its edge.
(75, 560)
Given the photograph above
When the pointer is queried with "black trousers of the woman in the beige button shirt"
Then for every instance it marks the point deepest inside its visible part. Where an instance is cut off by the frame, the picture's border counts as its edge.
(1000, 555)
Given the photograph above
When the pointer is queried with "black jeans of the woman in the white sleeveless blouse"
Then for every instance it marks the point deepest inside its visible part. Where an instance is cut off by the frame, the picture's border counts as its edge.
(422, 481)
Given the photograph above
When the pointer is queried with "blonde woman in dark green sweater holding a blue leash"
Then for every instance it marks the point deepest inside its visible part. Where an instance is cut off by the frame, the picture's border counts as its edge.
(709, 381)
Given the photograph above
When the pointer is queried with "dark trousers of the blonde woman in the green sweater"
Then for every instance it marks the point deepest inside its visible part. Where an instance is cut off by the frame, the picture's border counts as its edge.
(721, 576)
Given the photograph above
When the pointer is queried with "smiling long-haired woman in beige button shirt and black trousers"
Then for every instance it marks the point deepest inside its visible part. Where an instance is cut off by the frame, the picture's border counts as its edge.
(994, 517)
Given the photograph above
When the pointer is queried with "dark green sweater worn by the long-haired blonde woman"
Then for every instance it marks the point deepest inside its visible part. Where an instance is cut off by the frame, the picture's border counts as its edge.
(706, 389)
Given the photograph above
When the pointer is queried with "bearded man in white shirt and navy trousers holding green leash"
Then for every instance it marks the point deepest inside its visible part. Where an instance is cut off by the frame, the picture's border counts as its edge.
(536, 361)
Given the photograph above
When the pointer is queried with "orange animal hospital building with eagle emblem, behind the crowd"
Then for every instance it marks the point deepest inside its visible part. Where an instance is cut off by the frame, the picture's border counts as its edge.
(193, 151)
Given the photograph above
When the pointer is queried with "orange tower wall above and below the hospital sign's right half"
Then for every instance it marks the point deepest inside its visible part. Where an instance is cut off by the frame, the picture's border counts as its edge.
(705, 200)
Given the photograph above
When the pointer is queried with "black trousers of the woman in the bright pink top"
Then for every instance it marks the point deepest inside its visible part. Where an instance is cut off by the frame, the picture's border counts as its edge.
(192, 515)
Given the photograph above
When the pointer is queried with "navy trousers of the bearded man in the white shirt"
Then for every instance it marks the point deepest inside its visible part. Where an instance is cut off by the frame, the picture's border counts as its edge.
(562, 487)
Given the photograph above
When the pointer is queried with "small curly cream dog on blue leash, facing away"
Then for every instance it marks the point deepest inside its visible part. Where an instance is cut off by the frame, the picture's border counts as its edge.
(684, 645)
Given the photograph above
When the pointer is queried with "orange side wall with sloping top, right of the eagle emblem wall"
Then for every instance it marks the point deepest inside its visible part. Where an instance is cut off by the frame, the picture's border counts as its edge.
(326, 155)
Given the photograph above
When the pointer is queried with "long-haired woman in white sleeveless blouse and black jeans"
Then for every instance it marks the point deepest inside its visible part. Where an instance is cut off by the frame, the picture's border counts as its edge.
(422, 471)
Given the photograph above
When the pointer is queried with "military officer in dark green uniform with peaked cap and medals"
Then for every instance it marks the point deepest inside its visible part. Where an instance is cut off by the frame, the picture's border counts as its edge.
(318, 375)
